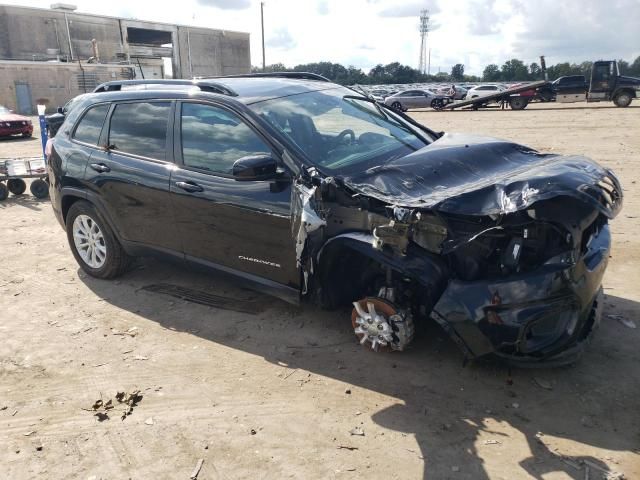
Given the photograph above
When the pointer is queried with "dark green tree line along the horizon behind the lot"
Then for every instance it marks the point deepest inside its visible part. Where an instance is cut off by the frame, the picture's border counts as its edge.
(513, 70)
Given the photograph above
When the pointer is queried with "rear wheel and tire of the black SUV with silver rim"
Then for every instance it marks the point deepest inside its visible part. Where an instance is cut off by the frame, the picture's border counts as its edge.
(93, 243)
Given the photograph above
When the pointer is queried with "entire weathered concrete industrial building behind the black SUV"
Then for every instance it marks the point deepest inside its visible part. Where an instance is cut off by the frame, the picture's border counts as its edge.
(48, 56)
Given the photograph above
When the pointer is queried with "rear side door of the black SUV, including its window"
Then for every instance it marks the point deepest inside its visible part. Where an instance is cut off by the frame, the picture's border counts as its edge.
(130, 174)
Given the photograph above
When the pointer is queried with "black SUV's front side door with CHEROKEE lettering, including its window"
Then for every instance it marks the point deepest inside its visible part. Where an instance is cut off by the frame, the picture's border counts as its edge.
(243, 226)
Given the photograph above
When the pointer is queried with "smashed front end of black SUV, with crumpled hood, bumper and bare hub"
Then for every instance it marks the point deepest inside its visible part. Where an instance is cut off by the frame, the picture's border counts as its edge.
(504, 247)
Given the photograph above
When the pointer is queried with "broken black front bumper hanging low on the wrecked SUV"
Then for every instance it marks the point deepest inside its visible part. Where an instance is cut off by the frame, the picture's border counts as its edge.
(544, 317)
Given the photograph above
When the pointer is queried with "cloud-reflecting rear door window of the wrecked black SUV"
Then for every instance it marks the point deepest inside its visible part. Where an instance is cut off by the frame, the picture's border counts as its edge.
(140, 128)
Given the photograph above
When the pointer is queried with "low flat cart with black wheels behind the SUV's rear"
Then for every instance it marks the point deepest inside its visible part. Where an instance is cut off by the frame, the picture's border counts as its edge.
(14, 171)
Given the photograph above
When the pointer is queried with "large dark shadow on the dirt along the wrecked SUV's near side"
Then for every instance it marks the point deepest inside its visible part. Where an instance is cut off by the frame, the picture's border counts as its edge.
(457, 414)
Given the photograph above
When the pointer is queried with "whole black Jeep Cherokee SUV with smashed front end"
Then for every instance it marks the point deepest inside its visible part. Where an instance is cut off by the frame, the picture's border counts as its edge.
(310, 190)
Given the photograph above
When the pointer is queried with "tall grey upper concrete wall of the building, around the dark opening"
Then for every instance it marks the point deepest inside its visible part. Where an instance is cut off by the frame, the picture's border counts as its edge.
(27, 33)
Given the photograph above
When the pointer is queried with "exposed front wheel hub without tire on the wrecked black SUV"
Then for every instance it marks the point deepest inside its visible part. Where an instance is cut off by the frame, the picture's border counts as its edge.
(377, 323)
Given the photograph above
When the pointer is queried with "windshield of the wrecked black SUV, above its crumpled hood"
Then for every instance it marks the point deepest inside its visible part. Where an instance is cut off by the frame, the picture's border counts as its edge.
(339, 130)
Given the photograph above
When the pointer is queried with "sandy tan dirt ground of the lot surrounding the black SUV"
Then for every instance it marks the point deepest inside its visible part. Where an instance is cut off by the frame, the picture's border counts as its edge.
(276, 391)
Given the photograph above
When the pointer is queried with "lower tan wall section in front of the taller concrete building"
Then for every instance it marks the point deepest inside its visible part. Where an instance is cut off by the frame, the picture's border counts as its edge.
(53, 84)
